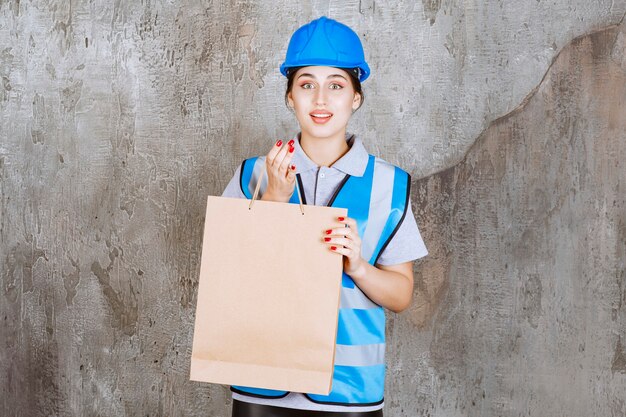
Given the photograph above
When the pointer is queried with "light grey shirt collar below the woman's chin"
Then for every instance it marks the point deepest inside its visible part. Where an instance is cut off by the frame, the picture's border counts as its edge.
(352, 163)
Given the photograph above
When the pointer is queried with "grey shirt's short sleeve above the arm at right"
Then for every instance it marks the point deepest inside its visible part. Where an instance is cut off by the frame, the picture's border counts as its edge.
(406, 245)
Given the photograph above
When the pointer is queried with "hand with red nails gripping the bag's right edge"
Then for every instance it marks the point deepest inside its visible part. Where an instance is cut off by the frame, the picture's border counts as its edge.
(347, 242)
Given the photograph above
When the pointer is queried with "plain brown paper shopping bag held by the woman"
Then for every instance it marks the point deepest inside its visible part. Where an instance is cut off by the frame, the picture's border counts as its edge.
(268, 296)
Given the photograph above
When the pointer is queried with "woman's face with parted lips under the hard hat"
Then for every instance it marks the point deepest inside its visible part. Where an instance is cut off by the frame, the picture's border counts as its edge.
(323, 100)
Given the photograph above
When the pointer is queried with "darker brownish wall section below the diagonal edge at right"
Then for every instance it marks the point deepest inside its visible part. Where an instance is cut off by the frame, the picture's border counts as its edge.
(521, 307)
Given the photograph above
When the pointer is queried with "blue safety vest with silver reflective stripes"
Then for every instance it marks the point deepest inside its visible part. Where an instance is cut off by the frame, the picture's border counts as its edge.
(378, 201)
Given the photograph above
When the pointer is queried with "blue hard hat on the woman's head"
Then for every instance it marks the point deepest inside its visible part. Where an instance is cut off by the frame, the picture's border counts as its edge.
(326, 42)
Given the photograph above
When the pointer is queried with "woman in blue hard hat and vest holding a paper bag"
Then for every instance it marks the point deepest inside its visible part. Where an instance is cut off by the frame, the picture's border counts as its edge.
(325, 66)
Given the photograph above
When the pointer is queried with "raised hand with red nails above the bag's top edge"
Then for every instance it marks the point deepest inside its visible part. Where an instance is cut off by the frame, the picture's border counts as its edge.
(281, 175)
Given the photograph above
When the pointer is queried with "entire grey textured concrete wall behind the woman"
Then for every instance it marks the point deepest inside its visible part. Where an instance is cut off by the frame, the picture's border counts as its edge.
(118, 118)
